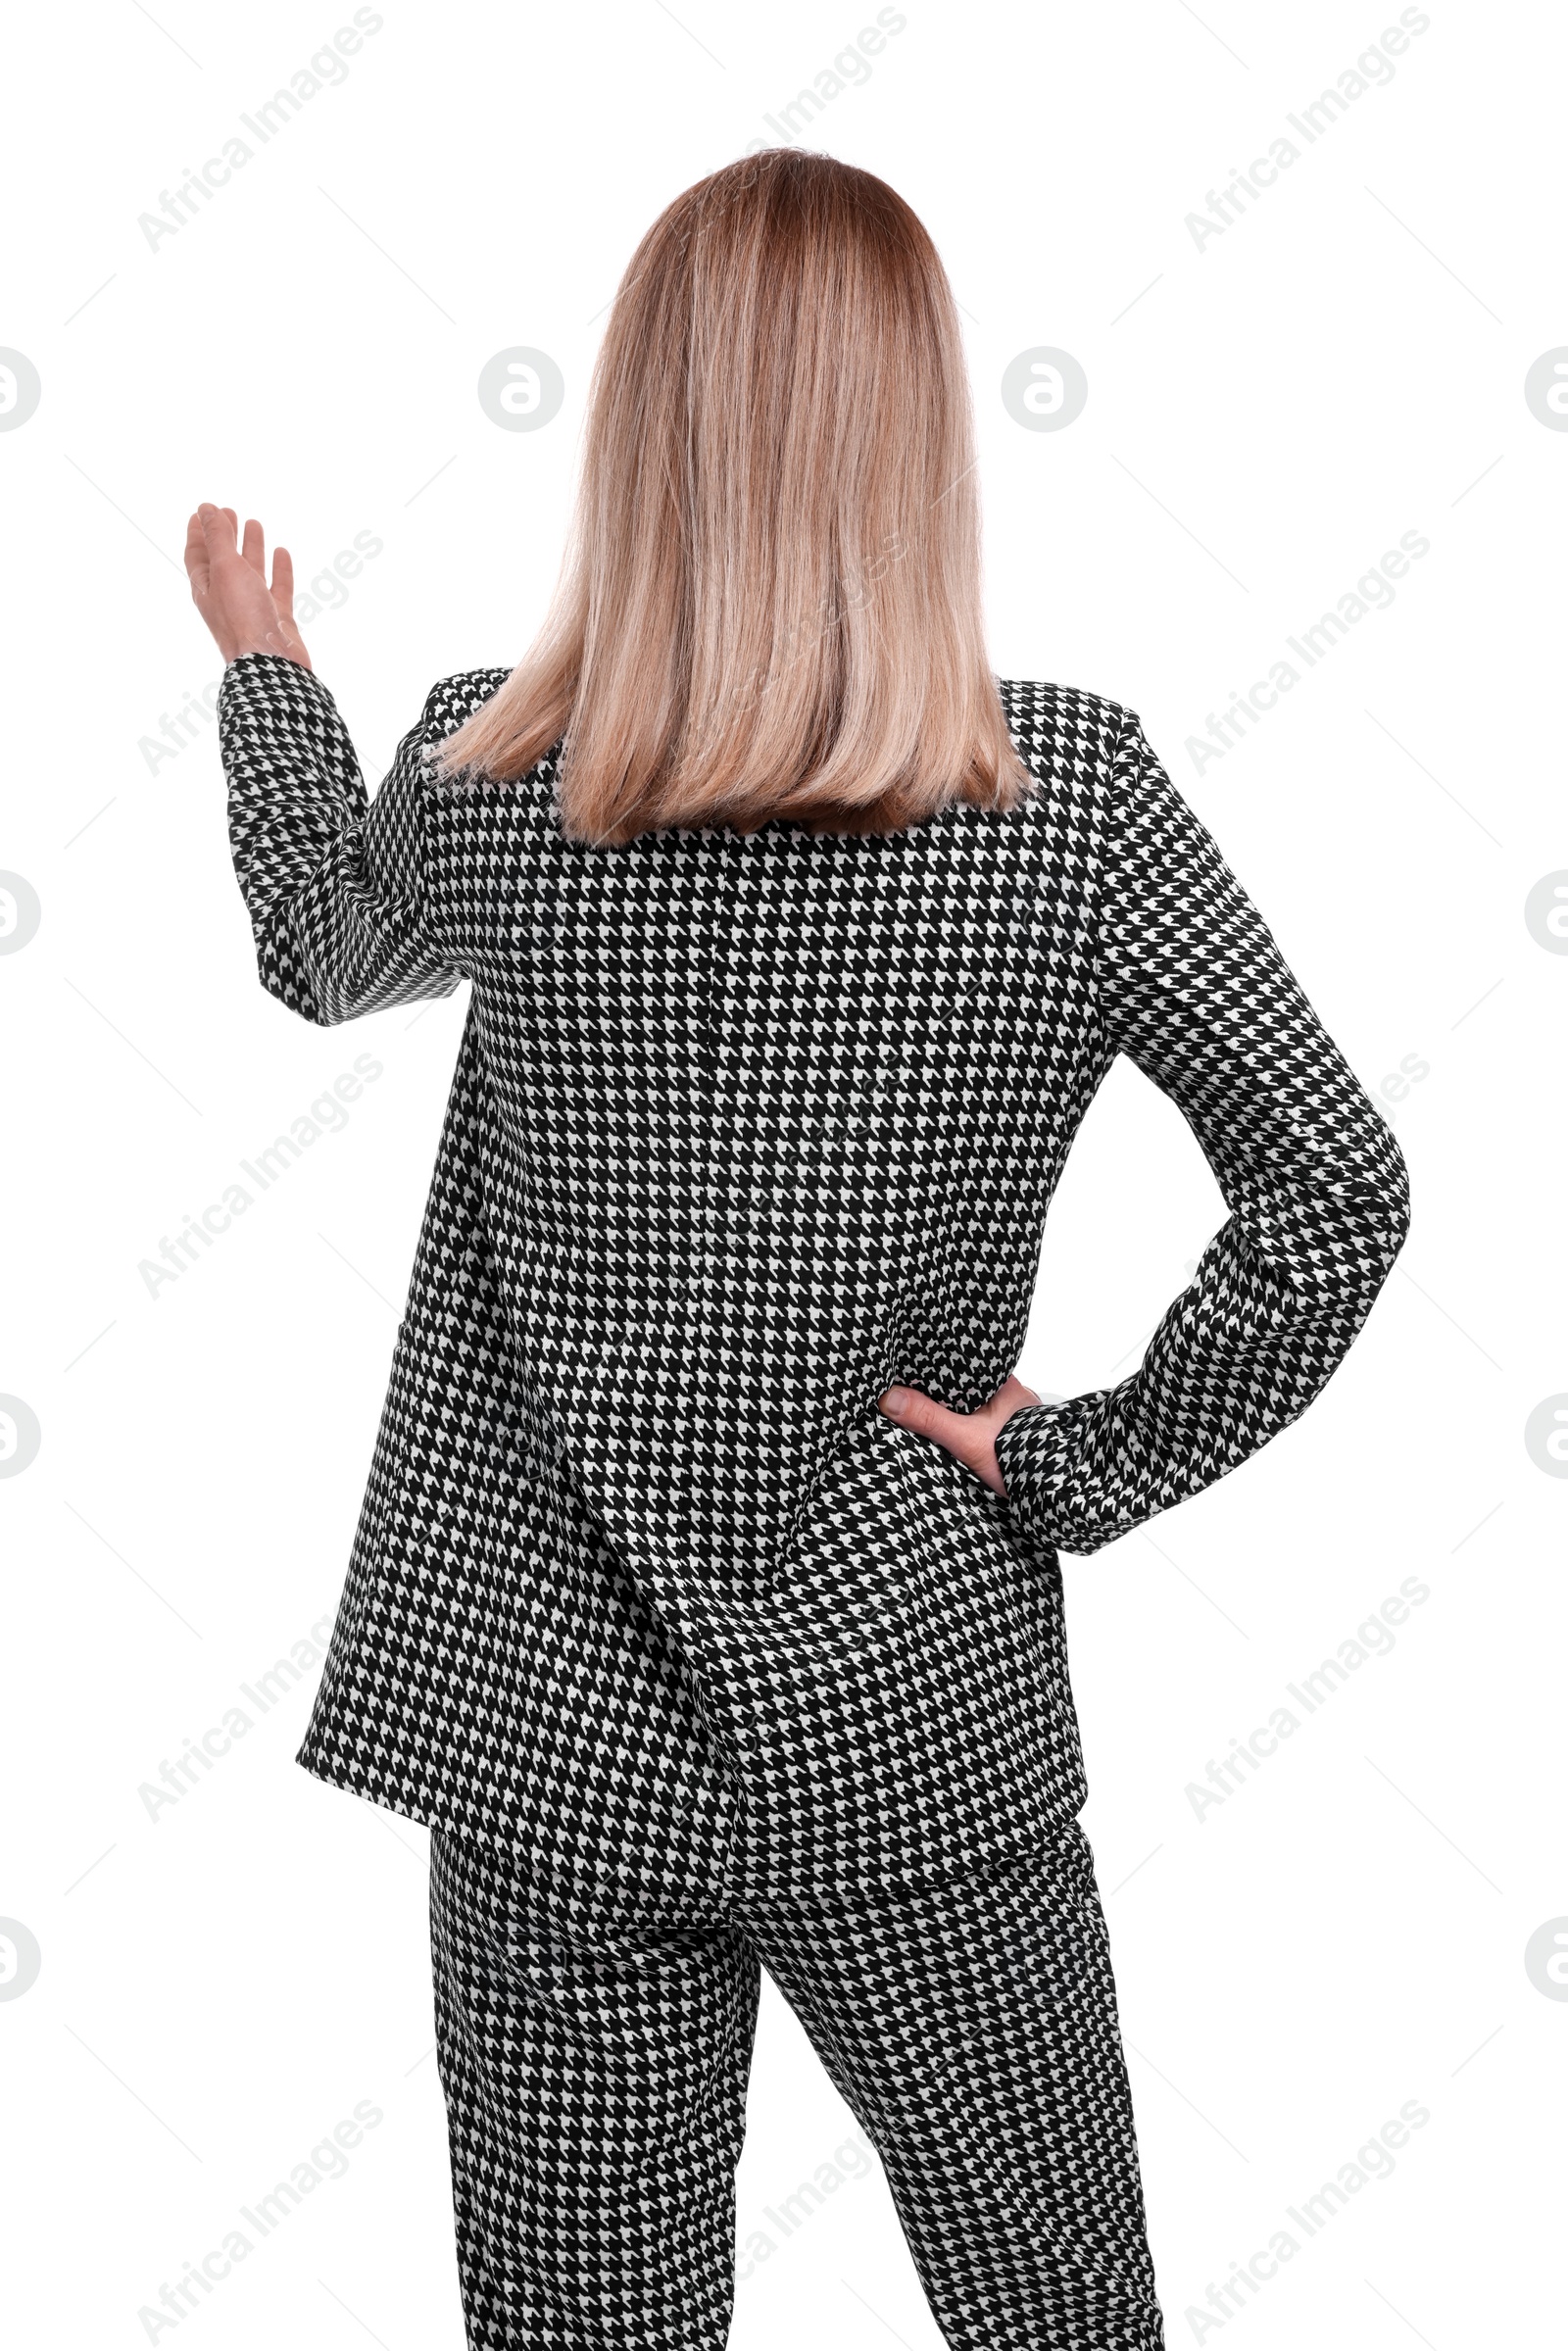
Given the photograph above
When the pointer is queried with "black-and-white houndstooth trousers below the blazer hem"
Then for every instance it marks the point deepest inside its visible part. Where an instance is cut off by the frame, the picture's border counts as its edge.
(596, 2063)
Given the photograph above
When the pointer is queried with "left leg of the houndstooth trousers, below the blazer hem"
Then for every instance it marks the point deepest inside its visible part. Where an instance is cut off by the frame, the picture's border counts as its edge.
(596, 2098)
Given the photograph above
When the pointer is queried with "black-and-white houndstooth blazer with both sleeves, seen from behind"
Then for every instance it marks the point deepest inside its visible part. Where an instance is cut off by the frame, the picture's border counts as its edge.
(742, 1132)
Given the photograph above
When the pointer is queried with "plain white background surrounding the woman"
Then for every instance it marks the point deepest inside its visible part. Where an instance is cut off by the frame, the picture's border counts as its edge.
(1268, 413)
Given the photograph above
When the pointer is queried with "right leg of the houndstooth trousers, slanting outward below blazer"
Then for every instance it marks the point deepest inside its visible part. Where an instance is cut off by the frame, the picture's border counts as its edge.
(972, 2030)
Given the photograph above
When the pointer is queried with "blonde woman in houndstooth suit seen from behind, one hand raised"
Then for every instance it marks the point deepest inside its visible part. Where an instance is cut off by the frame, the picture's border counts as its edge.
(706, 1595)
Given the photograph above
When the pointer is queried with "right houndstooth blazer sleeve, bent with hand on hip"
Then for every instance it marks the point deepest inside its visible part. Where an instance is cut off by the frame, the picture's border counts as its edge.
(1195, 991)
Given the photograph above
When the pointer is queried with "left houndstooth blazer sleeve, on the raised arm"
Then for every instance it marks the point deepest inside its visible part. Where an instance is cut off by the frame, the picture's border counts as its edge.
(337, 885)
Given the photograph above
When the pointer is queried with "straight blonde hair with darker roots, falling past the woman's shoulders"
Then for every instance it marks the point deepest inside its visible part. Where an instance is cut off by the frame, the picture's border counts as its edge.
(772, 594)
